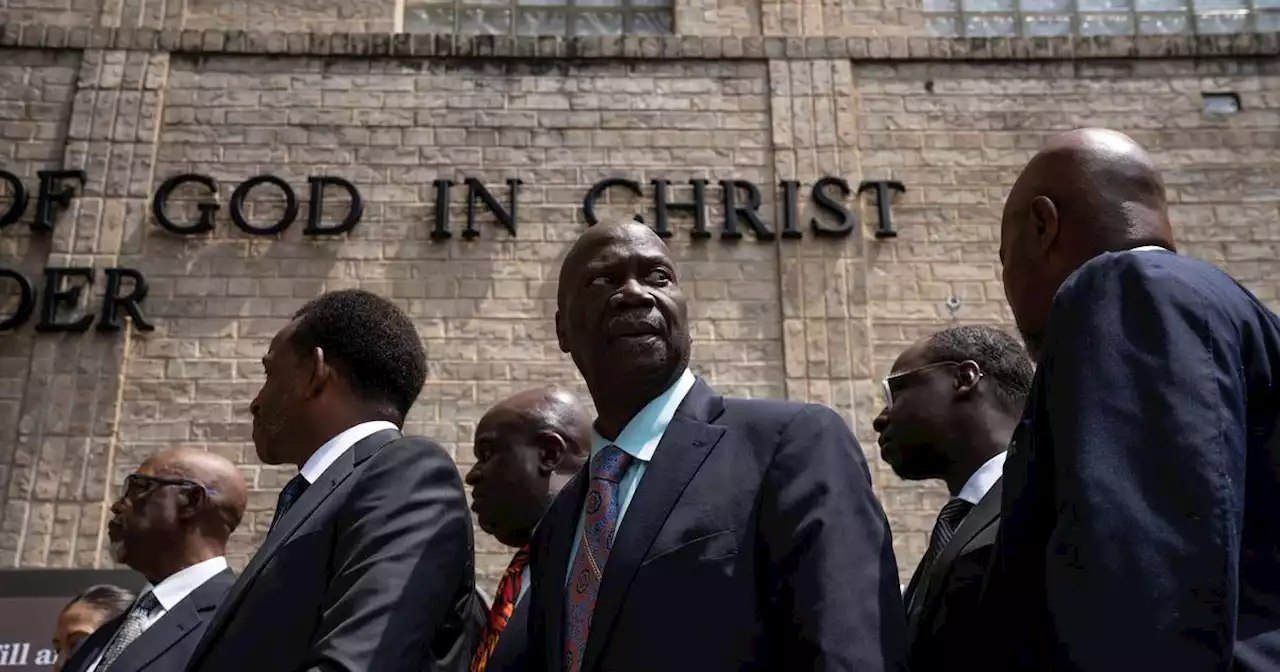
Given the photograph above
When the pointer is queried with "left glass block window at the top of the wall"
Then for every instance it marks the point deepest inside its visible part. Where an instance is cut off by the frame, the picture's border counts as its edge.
(540, 17)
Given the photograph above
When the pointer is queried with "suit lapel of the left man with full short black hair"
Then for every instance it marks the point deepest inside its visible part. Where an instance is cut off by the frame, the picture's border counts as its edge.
(301, 510)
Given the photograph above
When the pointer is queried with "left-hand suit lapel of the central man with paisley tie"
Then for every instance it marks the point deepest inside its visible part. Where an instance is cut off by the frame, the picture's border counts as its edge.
(560, 543)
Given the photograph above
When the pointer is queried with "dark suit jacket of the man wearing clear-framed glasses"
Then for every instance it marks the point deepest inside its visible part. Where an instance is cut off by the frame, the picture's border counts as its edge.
(941, 624)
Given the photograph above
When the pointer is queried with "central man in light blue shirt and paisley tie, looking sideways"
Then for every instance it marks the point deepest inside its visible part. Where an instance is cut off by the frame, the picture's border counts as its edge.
(707, 533)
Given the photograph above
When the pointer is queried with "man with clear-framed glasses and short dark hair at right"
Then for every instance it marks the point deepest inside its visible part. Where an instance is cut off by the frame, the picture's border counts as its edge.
(952, 404)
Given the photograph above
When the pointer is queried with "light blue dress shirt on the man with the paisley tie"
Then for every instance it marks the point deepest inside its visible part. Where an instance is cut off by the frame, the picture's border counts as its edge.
(641, 441)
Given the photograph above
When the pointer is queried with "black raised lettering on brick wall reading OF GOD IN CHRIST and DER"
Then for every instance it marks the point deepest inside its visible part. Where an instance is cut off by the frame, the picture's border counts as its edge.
(127, 289)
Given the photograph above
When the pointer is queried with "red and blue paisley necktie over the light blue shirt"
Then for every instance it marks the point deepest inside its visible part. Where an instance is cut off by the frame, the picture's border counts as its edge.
(601, 519)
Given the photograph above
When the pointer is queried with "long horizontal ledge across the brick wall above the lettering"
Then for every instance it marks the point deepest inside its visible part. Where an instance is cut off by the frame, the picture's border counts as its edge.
(670, 48)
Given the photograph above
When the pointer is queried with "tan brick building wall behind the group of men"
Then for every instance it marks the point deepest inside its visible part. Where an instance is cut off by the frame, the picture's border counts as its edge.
(135, 93)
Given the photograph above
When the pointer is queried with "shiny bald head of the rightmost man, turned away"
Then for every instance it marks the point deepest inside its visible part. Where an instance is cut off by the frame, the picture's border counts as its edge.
(1087, 193)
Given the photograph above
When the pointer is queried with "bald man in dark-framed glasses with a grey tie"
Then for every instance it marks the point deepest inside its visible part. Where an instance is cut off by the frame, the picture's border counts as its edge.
(171, 524)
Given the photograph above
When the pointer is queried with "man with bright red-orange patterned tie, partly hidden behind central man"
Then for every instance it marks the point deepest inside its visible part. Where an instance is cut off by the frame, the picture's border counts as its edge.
(527, 447)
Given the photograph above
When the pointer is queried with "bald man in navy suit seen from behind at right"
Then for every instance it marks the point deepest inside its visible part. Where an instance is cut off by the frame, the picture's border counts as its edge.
(1141, 515)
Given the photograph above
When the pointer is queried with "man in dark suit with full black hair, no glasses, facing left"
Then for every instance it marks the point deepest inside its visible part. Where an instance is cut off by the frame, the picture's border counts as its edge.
(368, 565)
